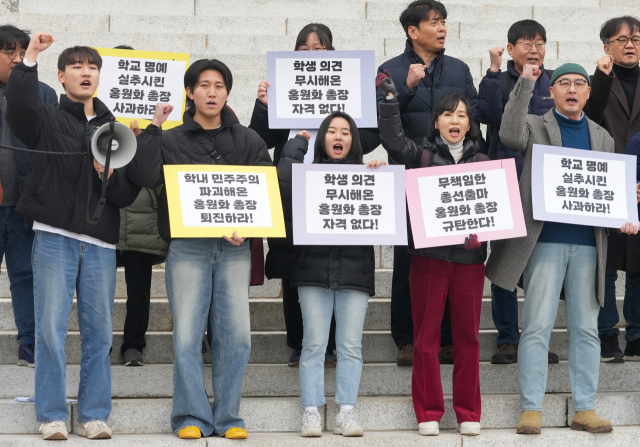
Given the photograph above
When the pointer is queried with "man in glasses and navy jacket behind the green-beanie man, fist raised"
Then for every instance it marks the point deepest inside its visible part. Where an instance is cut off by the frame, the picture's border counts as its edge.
(527, 40)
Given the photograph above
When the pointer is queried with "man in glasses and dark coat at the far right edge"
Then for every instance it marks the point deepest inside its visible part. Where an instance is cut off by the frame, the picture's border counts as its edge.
(614, 105)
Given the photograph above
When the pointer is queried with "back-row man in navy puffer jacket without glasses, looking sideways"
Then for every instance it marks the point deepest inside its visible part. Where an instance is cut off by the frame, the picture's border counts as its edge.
(422, 74)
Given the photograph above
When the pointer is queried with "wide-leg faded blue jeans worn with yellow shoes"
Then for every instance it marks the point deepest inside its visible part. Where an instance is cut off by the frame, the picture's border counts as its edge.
(208, 277)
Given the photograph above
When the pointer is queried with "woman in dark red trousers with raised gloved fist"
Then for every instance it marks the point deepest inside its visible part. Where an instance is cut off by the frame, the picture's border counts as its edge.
(456, 270)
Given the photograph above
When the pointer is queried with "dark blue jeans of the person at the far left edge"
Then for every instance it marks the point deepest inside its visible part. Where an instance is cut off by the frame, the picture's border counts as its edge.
(16, 241)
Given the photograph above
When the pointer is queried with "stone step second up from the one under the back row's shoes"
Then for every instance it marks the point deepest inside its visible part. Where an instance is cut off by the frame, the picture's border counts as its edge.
(267, 315)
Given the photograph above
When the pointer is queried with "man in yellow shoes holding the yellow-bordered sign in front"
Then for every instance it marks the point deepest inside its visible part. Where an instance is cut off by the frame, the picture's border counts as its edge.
(207, 278)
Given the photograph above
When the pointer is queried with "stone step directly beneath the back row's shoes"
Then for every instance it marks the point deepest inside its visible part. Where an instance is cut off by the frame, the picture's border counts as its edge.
(156, 381)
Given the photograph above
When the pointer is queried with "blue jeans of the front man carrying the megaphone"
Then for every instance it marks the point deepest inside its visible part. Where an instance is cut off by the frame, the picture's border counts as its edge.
(60, 265)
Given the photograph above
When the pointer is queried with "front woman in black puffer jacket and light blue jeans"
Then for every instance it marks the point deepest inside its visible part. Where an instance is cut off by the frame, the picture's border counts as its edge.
(330, 279)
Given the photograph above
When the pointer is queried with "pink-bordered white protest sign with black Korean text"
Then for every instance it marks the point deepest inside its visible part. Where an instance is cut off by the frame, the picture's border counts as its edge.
(447, 203)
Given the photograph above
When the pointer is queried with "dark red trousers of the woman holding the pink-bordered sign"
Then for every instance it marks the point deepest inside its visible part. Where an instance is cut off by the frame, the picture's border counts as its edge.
(431, 281)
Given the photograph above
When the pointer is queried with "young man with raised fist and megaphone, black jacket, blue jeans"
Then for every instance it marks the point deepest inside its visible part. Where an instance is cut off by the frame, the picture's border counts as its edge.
(72, 250)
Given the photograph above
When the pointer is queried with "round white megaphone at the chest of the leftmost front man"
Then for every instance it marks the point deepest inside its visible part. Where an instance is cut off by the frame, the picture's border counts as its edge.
(123, 146)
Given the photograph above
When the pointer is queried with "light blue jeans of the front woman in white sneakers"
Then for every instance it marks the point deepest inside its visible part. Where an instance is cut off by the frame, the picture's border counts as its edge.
(349, 308)
